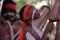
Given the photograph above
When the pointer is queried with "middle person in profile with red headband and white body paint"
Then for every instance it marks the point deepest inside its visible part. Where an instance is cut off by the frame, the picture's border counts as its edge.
(29, 30)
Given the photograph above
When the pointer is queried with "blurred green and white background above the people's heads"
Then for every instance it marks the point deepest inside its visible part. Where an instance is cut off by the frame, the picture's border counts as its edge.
(36, 3)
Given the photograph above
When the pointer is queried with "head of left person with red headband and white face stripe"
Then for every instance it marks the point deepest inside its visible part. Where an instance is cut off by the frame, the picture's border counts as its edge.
(8, 11)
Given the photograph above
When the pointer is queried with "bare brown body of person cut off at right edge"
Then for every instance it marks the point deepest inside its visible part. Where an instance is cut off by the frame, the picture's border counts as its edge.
(55, 14)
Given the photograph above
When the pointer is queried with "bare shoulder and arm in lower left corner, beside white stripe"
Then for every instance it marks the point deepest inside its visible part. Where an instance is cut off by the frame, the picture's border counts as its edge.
(4, 30)
